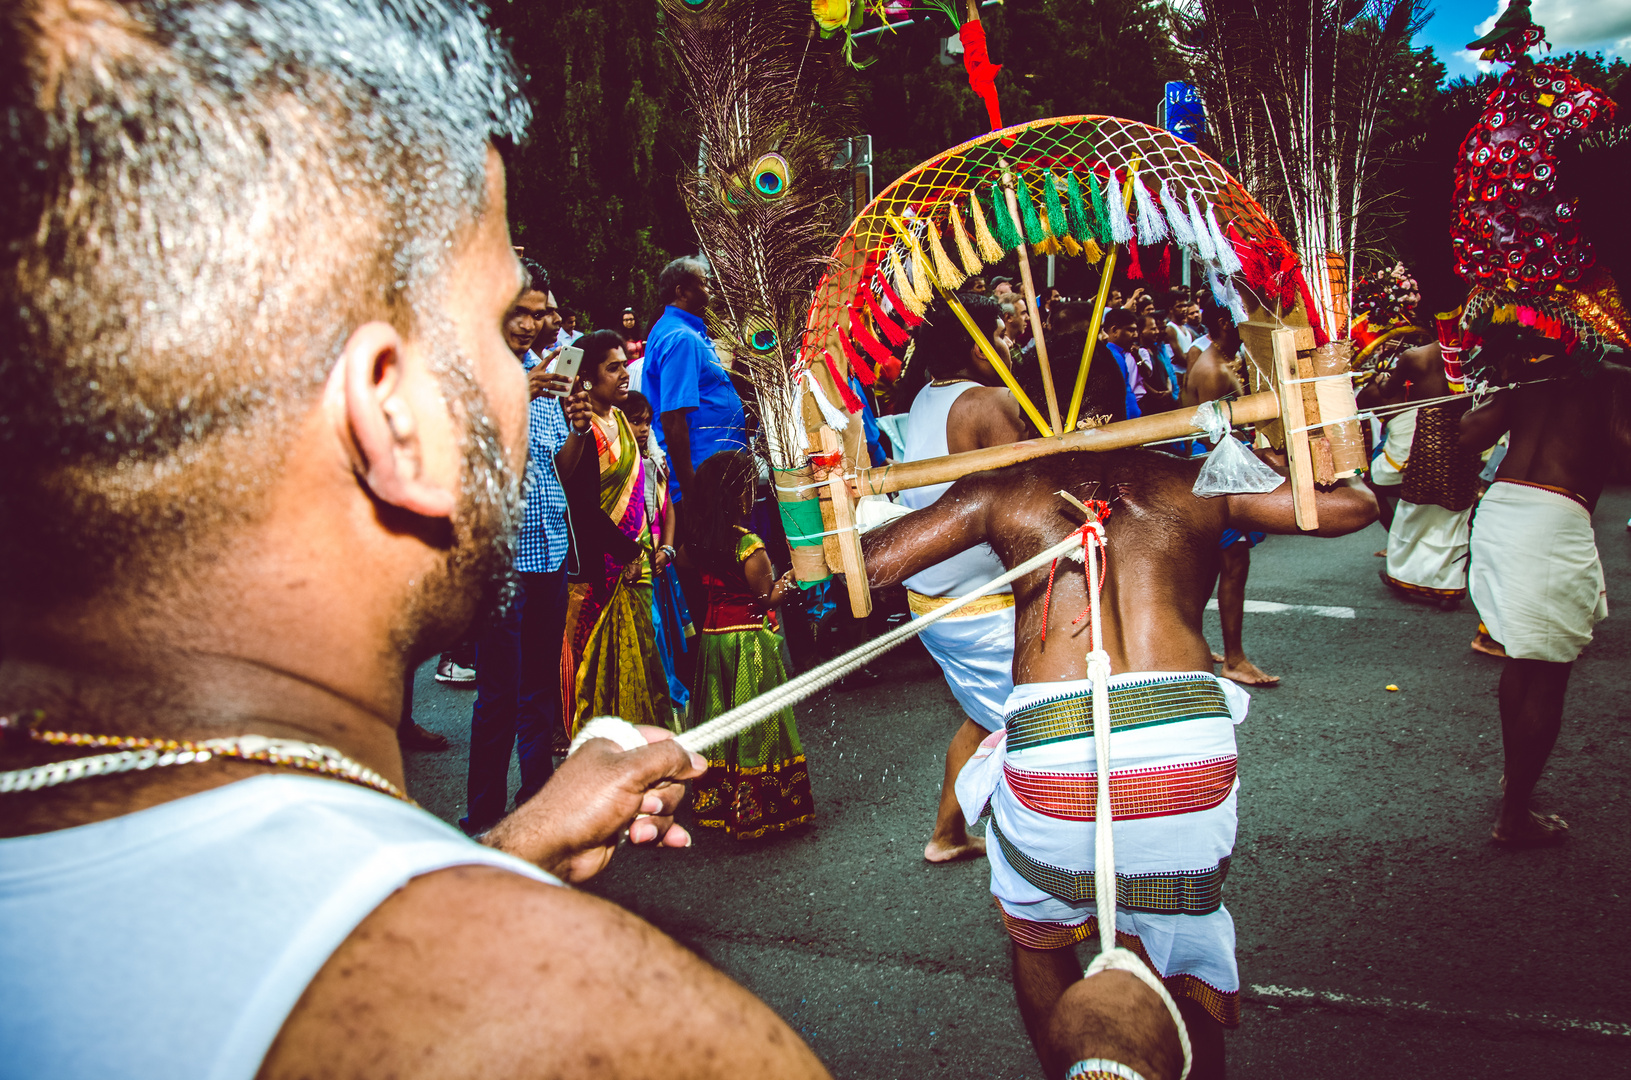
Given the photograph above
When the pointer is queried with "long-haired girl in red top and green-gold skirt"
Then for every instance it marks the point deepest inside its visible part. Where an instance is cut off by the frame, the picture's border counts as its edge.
(758, 782)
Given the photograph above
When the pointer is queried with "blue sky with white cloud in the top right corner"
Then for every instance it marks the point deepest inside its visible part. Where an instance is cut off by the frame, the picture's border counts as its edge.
(1588, 25)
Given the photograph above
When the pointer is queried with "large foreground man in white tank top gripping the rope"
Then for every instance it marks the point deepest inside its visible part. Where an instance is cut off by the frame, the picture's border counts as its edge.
(262, 436)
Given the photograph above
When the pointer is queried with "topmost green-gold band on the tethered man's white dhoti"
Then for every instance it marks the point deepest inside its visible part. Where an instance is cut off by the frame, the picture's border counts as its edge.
(1162, 701)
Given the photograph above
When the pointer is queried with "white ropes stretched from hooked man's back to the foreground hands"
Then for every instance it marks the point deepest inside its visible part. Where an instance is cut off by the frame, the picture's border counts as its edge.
(795, 691)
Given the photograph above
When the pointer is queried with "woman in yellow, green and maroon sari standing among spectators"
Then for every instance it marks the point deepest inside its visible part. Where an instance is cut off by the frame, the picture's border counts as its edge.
(609, 660)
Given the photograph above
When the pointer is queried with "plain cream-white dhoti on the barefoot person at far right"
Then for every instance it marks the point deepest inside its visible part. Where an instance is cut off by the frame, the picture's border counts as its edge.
(1536, 577)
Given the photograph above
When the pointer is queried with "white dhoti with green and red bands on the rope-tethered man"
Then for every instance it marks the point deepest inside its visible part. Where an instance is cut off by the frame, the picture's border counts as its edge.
(1174, 792)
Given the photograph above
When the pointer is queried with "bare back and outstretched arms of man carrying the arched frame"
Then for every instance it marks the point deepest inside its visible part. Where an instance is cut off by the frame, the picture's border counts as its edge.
(1164, 552)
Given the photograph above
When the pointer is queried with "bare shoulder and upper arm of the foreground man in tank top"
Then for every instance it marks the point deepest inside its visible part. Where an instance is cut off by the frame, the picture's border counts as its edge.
(480, 973)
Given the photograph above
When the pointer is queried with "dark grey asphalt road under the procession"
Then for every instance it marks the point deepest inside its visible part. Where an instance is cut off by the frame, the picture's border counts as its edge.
(1379, 931)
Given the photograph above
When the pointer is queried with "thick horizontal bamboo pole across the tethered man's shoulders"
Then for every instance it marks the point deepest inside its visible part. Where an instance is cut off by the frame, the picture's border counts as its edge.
(1129, 433)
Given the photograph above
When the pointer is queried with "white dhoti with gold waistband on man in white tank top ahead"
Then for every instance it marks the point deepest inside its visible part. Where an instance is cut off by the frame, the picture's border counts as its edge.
(976, 652)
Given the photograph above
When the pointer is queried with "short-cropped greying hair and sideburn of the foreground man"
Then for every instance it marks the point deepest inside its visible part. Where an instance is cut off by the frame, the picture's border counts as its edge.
(203, 201)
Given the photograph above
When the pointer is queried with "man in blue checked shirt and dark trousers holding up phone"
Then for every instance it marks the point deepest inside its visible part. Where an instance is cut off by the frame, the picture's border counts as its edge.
(519, 655)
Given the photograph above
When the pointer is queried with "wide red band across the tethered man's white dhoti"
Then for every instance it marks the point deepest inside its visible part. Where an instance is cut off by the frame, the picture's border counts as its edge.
(1134, 794)
